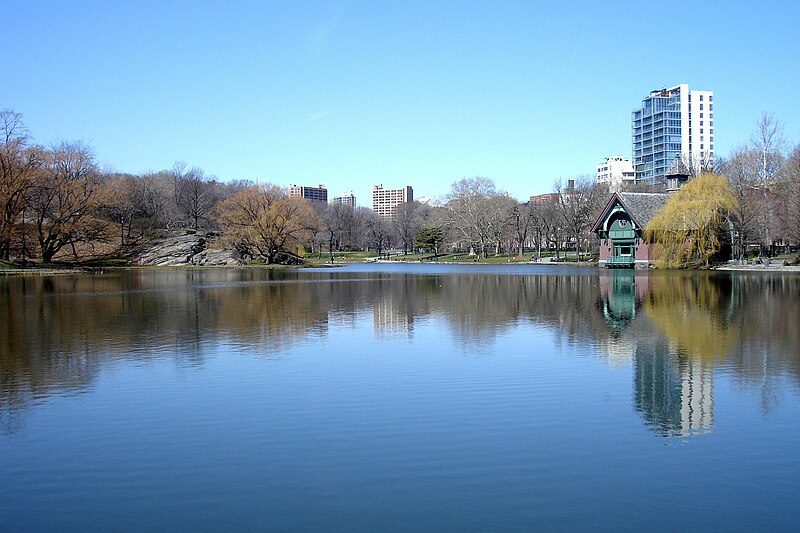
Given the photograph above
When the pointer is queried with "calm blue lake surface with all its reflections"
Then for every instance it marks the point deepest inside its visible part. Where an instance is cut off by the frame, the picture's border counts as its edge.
(400, 397)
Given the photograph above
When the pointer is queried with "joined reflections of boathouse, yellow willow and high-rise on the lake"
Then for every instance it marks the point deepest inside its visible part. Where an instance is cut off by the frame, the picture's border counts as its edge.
(672, 391)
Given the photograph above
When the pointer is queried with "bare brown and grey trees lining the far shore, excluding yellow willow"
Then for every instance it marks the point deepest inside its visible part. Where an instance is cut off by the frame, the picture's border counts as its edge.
(57, 204)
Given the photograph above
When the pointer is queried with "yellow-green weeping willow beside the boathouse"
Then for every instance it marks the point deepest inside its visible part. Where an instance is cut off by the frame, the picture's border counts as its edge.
(689, 231)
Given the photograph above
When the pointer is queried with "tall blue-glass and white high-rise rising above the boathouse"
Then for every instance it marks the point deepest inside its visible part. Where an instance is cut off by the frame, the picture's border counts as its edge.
(672, 123)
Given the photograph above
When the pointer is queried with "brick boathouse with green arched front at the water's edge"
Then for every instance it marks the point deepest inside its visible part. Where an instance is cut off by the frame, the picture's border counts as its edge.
(620, 229)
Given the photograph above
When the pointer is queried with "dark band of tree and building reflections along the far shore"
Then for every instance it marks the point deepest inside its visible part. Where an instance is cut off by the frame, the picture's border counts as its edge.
(674, 329)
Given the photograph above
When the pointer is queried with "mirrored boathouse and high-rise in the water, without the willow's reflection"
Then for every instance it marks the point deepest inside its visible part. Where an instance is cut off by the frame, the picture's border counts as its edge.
(673, 392)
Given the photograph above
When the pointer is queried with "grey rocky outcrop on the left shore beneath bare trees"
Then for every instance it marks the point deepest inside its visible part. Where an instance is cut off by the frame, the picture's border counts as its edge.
(186, 247)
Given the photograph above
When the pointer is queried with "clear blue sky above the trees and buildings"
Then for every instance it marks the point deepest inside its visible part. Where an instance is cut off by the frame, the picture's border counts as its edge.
(357, 93)
